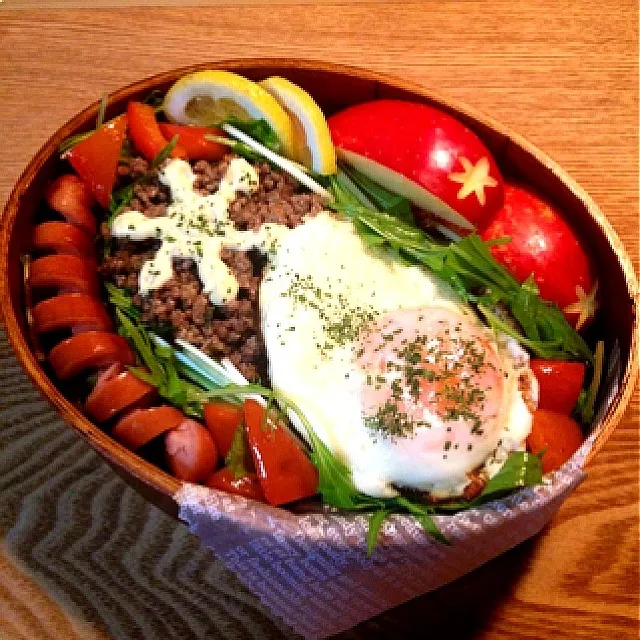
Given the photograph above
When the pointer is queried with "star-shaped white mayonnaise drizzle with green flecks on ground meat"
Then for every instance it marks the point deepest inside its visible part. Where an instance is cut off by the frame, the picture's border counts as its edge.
(197, 227)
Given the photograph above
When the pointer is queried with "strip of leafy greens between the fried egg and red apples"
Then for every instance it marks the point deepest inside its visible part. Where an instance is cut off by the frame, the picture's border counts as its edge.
(470, 269)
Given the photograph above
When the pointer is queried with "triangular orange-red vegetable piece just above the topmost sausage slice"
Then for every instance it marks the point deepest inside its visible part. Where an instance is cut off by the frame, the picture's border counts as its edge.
(96, 158)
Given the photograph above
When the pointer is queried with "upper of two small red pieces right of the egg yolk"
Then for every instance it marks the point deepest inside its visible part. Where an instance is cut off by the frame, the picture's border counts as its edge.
(560, 384)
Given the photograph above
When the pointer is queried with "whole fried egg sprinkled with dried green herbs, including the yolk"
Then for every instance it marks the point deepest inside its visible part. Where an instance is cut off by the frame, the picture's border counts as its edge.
(396, 374)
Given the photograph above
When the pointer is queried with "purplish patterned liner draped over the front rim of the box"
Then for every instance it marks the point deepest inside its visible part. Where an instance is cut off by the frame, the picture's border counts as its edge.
(313, 570)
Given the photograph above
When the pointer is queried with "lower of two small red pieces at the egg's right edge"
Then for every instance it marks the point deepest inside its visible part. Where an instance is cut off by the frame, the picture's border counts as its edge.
(557, 435)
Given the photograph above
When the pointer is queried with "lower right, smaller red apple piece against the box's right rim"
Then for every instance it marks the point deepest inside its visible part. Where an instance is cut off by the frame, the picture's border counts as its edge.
(542, 244)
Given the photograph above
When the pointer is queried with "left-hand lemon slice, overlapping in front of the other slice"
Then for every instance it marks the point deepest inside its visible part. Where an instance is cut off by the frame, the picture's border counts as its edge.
(208, 97)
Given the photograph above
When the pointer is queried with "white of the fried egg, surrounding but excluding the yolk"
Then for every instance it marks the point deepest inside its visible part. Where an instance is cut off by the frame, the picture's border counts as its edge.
(322, 283)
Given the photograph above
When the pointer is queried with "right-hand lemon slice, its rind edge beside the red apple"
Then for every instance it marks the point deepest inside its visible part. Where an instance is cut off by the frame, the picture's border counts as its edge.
(312, 145)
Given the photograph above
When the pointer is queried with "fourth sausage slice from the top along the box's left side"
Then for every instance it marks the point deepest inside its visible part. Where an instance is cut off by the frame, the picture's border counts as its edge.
(77, 311)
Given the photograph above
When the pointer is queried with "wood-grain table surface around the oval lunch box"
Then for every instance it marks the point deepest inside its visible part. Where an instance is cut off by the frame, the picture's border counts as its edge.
(82, 555)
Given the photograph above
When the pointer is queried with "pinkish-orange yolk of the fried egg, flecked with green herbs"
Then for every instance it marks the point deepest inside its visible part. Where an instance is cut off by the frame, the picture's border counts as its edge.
(429, 368)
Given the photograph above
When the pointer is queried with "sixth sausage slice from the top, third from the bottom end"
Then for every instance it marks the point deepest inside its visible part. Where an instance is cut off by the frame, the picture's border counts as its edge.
(117, 391)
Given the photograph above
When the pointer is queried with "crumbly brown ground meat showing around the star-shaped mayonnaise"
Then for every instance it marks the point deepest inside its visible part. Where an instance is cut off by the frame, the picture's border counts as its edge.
(231, 330)
